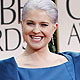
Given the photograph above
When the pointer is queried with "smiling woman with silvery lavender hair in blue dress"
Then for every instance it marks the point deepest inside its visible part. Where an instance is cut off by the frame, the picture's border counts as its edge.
(37, 62)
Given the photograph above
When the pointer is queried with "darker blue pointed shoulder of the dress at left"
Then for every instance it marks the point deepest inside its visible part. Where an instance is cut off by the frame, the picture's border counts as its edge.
(7, 69)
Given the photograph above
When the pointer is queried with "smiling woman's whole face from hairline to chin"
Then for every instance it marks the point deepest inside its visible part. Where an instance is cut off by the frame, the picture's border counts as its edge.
(37, 29)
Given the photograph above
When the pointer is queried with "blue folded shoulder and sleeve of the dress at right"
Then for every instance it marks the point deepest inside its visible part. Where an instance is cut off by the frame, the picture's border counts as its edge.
(76, 62)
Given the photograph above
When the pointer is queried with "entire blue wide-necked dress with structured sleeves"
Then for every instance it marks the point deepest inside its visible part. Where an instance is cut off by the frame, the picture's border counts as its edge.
(67, 71)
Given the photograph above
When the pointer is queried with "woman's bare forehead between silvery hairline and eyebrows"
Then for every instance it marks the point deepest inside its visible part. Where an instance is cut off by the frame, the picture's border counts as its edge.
(38, 15)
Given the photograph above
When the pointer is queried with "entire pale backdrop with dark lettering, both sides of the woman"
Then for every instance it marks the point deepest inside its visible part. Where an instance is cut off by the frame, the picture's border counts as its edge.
(11, 41)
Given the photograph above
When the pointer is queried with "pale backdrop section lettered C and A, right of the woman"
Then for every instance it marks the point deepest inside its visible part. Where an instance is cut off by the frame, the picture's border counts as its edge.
(69, 25)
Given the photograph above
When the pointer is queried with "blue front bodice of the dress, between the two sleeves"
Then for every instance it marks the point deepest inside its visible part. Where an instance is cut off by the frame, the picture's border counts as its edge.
(61, 72)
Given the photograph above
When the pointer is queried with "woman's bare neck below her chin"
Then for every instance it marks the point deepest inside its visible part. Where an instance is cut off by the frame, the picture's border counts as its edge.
(42, 53)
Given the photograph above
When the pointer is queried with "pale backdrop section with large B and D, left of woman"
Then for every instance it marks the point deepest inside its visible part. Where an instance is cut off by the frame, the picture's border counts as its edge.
(11, 41)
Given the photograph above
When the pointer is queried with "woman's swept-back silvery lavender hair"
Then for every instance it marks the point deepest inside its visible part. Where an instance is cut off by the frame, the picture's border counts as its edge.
(46, 5)
